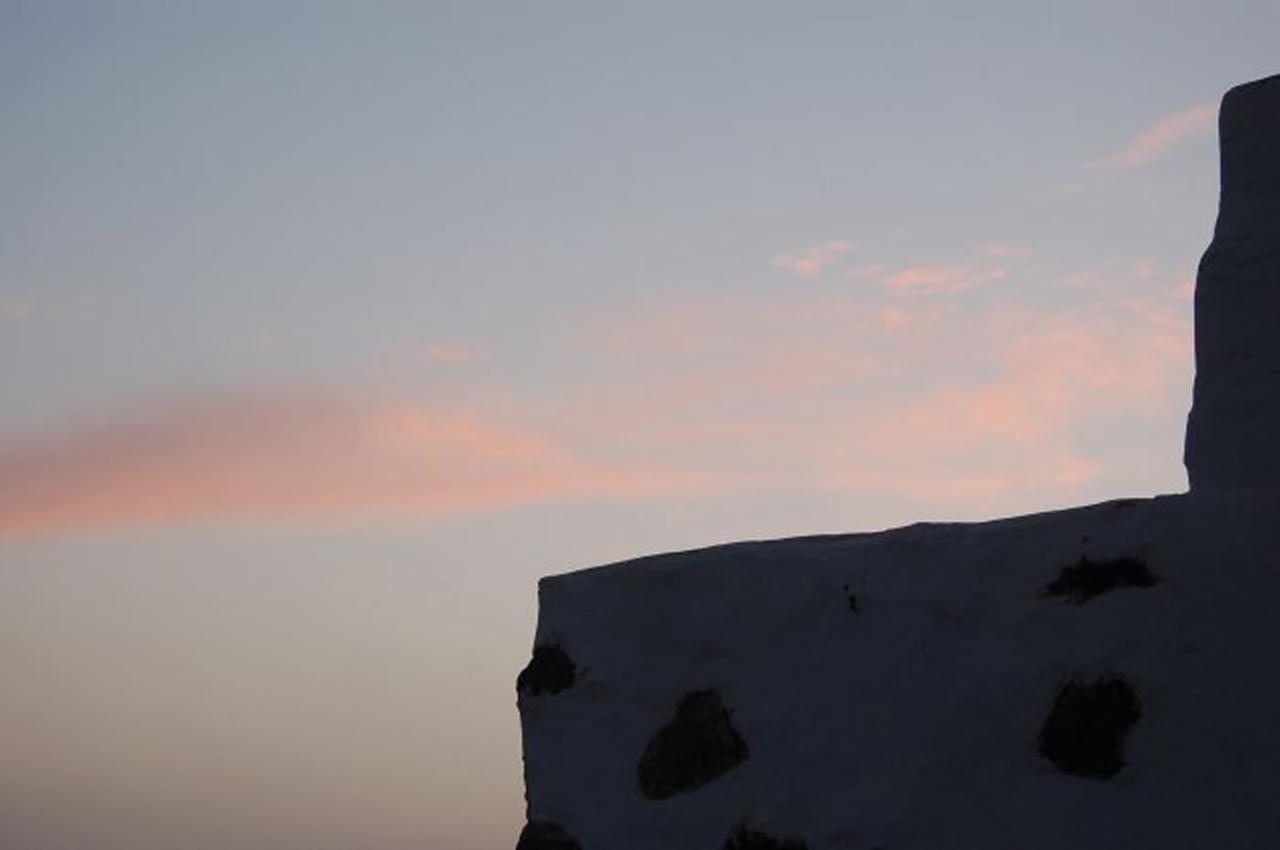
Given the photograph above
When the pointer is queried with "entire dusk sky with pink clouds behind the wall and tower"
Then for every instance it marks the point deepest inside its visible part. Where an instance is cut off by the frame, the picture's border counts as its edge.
(327, 330)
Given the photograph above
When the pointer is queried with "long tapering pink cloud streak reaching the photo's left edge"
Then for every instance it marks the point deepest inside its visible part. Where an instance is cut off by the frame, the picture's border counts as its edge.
(267, 458)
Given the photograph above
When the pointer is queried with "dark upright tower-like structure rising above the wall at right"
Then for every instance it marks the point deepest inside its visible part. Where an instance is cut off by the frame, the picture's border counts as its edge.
(1233, 435)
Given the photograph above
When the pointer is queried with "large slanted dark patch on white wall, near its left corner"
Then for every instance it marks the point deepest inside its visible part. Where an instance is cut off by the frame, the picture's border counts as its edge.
(700, 744)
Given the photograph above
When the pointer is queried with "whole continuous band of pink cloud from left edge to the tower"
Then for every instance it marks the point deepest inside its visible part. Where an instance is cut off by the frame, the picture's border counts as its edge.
(963, 405)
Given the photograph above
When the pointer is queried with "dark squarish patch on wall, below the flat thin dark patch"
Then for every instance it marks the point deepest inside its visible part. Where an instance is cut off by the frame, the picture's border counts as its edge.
(1085, 732)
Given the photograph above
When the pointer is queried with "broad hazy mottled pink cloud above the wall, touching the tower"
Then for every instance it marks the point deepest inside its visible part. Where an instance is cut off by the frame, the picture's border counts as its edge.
(952, 405)
